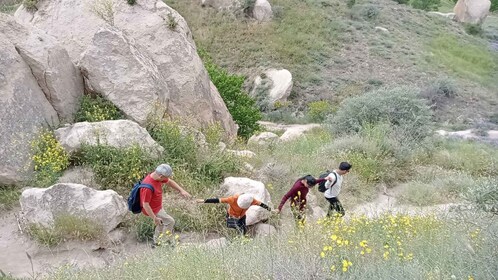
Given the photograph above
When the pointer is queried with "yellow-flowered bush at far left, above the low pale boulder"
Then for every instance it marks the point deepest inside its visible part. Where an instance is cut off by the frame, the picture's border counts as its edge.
(49, 158)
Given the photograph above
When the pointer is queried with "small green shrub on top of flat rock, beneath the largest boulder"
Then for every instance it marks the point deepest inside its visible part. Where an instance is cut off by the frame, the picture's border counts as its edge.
(96, 109)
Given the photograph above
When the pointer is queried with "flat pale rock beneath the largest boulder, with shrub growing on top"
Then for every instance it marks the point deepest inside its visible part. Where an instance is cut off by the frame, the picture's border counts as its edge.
(118, 133)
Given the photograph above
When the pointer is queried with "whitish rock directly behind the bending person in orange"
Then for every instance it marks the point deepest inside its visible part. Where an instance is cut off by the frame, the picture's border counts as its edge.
(239, 185)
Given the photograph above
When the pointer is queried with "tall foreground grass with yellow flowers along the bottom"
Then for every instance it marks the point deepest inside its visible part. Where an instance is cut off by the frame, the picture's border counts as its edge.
(390, 246)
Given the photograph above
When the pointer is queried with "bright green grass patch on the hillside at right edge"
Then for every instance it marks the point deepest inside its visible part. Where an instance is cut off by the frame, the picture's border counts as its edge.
(473, 62)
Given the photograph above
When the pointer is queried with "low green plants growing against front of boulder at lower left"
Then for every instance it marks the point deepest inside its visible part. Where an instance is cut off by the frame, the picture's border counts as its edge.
(65, 227)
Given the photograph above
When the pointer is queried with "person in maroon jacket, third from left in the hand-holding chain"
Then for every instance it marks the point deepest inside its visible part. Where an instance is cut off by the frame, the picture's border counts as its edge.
(297, 195)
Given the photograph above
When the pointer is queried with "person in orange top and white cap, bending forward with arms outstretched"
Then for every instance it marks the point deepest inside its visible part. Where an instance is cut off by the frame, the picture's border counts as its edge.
(237, 207)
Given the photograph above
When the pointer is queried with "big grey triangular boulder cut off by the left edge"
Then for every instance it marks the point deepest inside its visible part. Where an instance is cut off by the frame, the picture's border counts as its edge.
(24, 110)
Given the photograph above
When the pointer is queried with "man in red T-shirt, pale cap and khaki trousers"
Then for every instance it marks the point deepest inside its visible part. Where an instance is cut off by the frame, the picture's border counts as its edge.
(152, 201)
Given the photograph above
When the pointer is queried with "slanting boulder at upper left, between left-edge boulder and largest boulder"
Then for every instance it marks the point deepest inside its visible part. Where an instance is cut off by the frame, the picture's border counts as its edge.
(59, 79)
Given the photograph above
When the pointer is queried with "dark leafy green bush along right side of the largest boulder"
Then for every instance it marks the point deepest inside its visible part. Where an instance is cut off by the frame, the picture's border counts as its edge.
(240, 105)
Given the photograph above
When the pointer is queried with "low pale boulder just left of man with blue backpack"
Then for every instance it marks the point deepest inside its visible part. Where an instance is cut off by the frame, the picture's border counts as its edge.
(43, 205)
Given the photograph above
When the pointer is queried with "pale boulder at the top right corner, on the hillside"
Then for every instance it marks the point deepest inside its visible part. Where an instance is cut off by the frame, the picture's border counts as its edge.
(471, 11)
